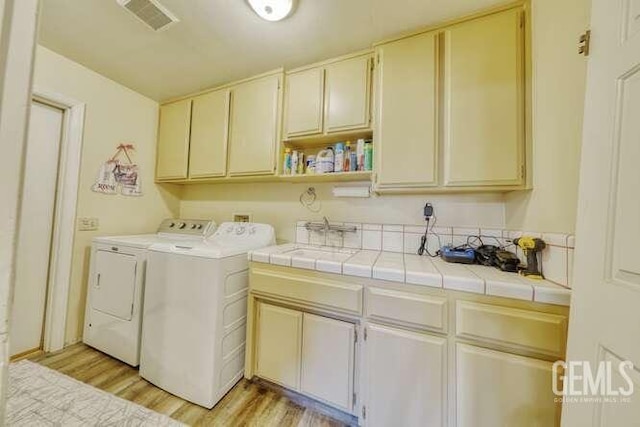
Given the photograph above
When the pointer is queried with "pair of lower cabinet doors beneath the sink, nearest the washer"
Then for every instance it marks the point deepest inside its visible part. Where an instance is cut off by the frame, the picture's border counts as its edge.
(312, 354)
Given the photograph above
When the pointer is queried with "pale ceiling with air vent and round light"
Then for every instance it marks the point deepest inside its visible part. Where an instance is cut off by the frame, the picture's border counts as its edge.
(218, 41)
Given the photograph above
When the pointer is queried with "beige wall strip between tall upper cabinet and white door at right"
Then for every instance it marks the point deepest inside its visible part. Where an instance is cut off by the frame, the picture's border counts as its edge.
(559, 75)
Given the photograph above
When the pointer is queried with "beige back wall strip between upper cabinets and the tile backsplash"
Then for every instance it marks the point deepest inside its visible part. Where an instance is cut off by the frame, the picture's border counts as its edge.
(279, 205)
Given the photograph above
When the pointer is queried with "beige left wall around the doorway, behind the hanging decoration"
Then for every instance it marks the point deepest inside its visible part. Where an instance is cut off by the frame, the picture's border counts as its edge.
(114, 114)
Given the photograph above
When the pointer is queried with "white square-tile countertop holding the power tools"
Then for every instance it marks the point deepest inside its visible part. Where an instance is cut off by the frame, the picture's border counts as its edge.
(416, 270)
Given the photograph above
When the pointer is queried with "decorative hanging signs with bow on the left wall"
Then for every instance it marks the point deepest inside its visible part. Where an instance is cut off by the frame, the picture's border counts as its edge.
(119, 174)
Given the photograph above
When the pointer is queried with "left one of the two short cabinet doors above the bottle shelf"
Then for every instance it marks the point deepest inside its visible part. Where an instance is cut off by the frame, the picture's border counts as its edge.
(304, 98)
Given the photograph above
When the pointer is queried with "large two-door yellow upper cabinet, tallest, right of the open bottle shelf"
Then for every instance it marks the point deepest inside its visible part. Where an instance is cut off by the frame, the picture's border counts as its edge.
(451, 108)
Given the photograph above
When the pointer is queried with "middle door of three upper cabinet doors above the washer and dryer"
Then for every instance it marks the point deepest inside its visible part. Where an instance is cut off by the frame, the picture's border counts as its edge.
(209, 132)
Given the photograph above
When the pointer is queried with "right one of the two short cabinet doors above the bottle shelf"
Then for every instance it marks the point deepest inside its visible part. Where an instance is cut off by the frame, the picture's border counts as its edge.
(348, 94)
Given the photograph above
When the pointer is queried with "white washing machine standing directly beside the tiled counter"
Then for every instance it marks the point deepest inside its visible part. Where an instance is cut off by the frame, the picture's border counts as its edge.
(195, 308)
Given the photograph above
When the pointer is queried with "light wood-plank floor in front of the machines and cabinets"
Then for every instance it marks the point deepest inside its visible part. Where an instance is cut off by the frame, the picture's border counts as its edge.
(247, 404)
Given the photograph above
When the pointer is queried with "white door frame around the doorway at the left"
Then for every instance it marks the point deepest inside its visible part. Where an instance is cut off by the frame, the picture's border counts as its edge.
(62, 243)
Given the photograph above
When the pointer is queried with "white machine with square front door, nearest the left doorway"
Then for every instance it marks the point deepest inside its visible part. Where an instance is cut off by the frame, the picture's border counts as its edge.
(116, 285)
